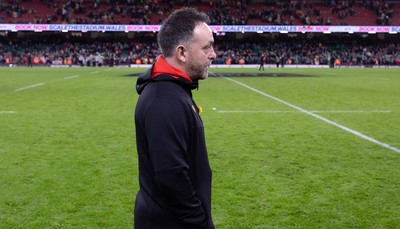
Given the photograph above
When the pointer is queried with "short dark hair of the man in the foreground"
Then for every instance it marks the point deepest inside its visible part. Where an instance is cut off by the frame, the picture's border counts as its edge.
(178, 29)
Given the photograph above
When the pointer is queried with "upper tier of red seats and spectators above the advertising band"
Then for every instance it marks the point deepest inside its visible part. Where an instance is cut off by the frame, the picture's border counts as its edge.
(222, 12)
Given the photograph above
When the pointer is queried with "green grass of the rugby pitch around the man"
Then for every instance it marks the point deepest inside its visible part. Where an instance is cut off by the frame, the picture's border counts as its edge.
(68, 154)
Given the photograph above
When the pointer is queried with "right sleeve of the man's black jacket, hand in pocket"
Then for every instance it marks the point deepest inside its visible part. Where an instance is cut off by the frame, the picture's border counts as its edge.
(168, 129)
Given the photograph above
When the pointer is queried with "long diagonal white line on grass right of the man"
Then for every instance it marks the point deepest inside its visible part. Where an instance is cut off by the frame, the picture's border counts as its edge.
(382, 144)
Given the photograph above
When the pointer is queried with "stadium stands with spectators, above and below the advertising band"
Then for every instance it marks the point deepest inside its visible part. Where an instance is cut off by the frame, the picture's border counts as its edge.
(85, 49)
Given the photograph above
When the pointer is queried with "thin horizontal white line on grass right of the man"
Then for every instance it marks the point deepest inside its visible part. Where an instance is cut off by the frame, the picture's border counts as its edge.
(291, 111)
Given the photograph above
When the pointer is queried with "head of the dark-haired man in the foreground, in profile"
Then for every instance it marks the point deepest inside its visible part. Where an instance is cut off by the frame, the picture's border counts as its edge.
(186, 42)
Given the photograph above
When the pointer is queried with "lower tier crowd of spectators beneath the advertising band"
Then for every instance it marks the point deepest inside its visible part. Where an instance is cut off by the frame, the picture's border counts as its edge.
(291, 50)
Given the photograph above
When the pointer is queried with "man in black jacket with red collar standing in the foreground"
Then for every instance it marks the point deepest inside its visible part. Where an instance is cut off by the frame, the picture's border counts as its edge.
(174, 171)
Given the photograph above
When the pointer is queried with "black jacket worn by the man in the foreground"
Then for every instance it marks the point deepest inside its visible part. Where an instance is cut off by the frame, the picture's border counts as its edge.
(174, 171)
